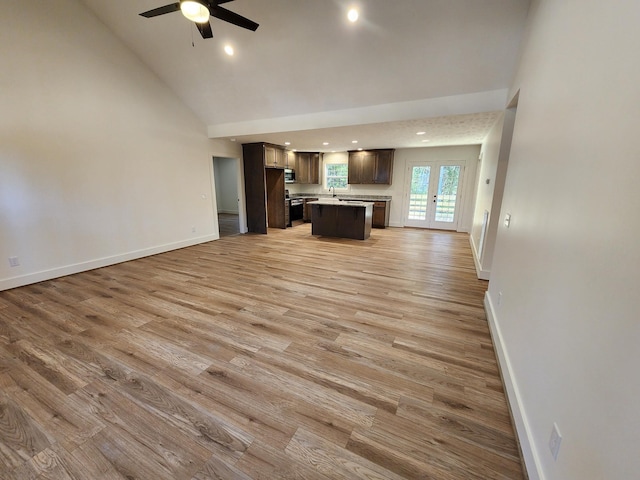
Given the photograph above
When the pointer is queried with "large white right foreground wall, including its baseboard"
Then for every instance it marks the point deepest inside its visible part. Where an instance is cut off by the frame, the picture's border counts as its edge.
(566, 322)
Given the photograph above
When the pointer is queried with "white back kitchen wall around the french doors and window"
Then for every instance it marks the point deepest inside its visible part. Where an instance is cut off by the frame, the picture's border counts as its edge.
(468, 154)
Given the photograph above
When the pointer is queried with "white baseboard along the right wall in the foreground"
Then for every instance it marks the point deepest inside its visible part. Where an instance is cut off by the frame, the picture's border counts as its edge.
(518, 414)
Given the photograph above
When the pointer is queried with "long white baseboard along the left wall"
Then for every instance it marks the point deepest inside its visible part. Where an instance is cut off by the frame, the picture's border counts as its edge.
(27, 279)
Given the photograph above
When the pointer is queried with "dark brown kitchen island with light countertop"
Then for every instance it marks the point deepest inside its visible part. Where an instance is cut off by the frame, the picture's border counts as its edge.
(331, 217)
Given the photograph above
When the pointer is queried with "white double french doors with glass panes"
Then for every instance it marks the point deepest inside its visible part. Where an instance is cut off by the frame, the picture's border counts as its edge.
(432, 194)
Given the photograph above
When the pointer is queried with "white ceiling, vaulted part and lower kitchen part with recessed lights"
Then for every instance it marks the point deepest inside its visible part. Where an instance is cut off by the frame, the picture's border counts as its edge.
(308, 76)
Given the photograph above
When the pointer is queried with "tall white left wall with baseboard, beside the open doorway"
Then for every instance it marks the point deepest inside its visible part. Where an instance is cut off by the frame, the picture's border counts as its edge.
(99, 161)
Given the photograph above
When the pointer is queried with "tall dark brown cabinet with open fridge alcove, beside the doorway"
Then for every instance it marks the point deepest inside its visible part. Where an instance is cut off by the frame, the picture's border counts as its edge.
(264, 186)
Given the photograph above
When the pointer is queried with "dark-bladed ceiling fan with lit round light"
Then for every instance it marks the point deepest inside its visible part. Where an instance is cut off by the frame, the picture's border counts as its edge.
(198, 11)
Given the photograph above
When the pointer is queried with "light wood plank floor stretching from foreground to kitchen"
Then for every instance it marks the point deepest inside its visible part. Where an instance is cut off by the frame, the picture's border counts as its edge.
(258, 357)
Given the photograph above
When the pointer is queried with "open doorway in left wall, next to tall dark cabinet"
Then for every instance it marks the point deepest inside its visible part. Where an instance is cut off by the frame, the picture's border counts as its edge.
(226, 173)
